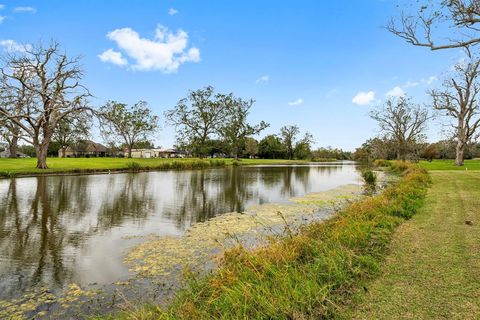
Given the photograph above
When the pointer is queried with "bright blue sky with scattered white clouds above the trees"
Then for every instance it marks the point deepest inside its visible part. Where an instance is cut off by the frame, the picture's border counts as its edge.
(321, 65)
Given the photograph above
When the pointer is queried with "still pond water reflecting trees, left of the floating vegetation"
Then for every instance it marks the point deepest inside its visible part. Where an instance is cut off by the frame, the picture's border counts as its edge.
(56, 230)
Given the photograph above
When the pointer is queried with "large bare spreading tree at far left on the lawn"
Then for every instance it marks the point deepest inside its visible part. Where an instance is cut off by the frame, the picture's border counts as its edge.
(42, 87)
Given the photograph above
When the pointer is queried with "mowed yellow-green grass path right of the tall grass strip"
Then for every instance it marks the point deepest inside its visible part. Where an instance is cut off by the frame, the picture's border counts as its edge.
(433, 270)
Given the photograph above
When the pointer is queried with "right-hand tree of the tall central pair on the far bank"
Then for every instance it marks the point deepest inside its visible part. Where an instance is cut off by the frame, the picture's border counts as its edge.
(235, 128)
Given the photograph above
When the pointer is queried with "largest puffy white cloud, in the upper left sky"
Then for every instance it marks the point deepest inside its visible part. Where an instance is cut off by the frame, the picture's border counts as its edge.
(165, 52)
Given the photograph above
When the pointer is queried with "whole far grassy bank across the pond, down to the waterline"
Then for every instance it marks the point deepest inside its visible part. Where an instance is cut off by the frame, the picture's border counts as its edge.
(26, 166)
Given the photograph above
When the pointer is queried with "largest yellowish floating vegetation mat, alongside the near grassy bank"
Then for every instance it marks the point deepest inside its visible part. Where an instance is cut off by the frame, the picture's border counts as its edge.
(169, 255)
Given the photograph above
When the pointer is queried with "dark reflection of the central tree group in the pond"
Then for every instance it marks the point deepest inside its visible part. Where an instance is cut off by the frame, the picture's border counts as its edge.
(202, 194)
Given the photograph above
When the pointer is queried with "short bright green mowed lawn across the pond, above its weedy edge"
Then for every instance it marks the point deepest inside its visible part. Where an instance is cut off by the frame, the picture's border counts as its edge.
(27, 165)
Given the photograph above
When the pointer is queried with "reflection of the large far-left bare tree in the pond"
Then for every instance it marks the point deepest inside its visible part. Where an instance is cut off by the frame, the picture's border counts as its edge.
(33, 236)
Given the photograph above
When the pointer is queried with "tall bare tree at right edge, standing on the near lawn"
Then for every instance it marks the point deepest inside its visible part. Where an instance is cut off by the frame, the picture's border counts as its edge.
(458, 100)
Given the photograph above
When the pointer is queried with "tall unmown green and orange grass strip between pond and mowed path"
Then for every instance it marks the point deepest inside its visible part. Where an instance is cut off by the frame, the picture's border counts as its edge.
(310, 274)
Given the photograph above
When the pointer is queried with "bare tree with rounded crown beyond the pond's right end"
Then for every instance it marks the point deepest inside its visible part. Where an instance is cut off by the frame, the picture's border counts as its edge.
(402, 122)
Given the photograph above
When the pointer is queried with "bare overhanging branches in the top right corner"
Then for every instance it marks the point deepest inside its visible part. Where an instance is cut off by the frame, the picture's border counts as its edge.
(460, 17)
